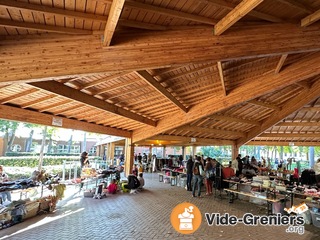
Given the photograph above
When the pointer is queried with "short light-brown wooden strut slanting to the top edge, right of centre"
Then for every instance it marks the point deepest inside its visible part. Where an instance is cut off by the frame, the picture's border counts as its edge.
(235, 15)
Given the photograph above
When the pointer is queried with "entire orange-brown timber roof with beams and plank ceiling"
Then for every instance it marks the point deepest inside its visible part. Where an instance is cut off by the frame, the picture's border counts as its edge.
(179, 72)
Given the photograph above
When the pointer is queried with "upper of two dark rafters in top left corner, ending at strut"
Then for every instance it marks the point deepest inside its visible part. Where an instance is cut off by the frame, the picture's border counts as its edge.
(52, 10)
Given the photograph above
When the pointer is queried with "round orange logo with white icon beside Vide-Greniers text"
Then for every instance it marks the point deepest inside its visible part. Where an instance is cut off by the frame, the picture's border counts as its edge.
(186, 218)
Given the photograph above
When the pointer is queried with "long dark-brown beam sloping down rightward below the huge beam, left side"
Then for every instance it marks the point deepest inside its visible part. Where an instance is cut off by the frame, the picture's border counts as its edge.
(62, 90)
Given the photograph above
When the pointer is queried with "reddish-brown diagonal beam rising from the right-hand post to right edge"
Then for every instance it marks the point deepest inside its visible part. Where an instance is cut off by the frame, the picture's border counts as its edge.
(303, 98)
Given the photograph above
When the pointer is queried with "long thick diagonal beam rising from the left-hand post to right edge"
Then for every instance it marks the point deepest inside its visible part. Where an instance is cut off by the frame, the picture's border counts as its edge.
(251, 89)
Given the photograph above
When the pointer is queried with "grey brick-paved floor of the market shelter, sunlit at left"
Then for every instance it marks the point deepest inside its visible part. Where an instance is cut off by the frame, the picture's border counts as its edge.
(144, 216)
